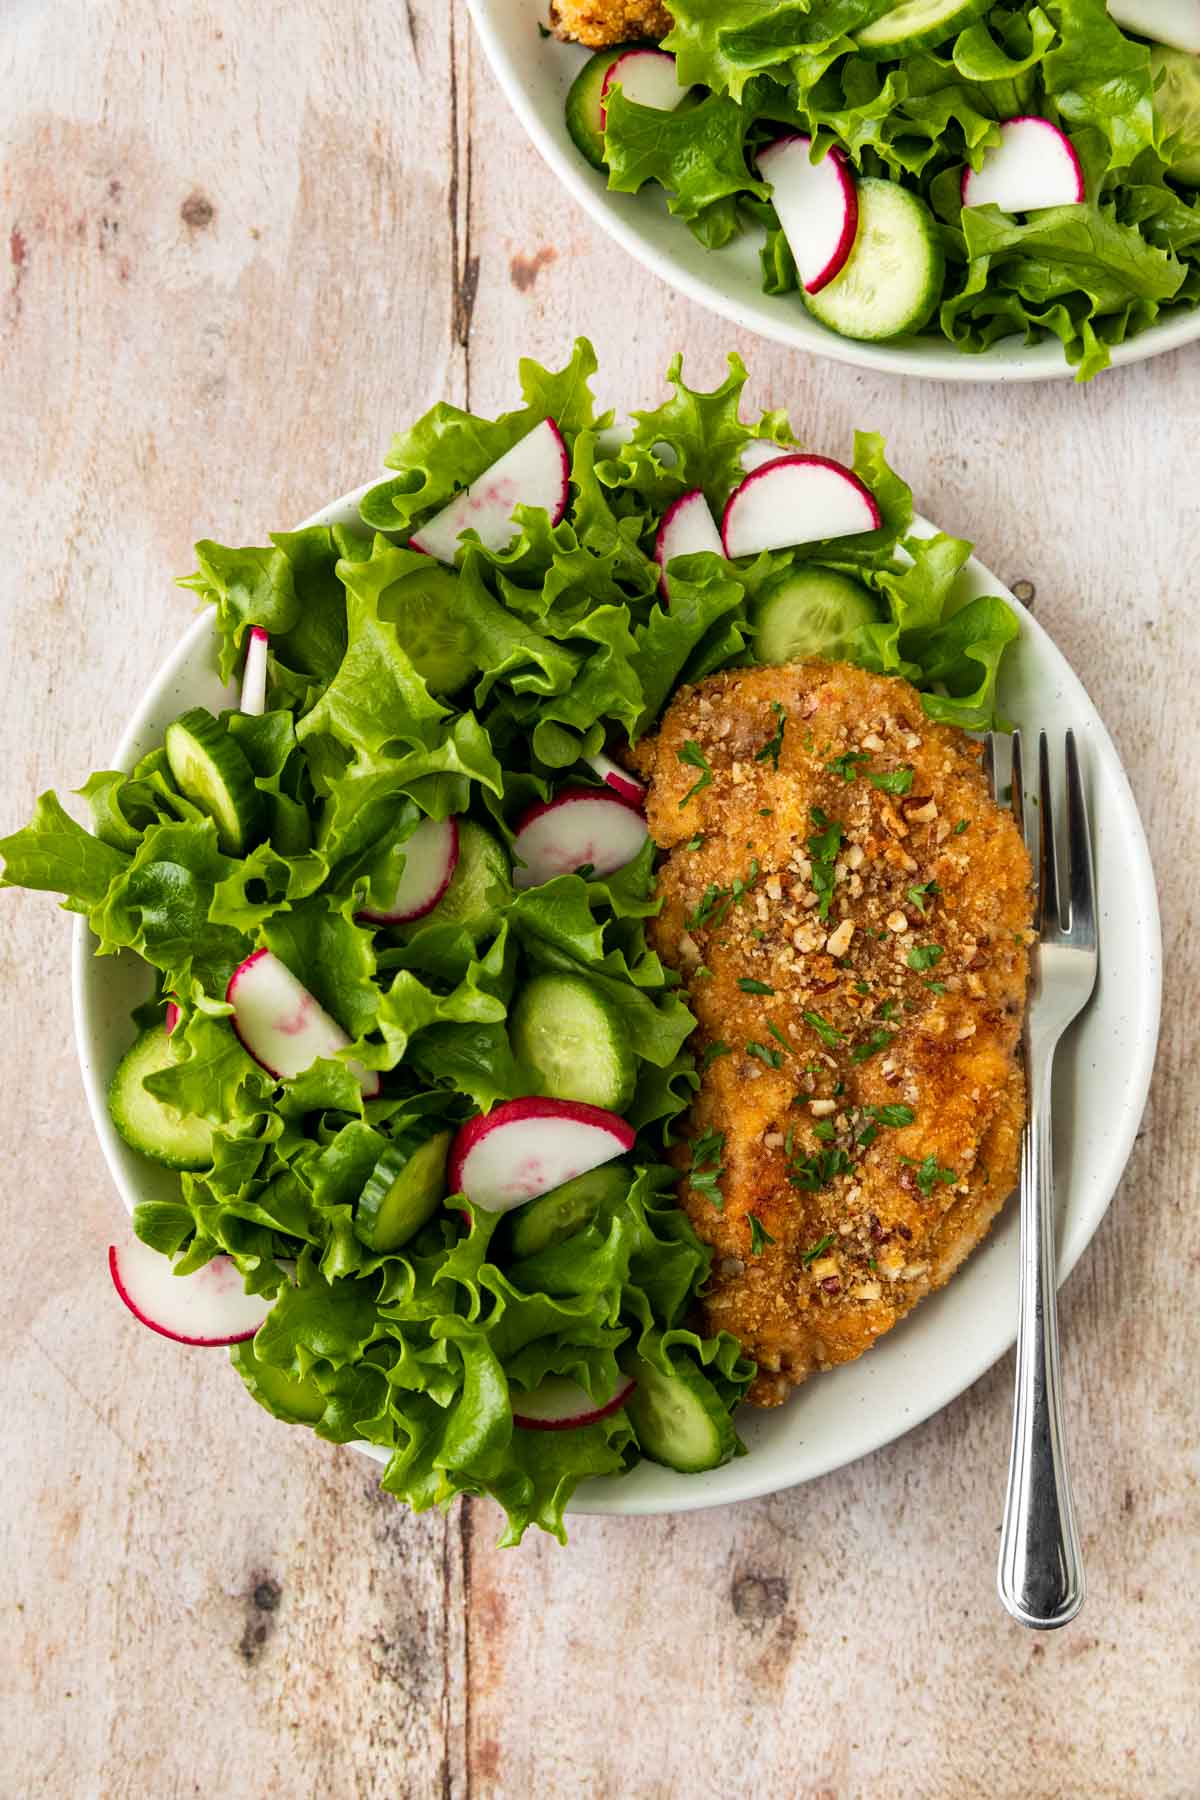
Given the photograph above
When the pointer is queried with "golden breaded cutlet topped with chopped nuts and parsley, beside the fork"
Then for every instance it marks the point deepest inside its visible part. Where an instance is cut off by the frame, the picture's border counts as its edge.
(850, 912)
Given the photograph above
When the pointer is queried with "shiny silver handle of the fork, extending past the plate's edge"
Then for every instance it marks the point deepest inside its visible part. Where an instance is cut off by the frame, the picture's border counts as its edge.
(1041, 1570)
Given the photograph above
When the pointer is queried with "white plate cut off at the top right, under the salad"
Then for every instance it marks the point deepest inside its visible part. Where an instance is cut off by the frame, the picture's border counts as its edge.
(535, 75)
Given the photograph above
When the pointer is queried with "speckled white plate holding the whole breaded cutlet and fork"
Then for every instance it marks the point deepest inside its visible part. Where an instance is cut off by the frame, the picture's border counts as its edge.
(1102, 1081)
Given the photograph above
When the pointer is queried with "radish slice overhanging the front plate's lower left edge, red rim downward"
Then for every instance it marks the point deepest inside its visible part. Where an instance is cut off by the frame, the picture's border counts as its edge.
(208, 1308)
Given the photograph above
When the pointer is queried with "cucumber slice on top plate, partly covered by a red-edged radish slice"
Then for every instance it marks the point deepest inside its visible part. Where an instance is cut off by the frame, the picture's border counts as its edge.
(893, 276)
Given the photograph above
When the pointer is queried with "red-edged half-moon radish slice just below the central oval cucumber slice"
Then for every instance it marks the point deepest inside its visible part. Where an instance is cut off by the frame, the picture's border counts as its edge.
(526, 1147)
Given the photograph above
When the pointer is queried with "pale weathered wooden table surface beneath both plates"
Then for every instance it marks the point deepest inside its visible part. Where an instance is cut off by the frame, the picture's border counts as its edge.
(240, 246)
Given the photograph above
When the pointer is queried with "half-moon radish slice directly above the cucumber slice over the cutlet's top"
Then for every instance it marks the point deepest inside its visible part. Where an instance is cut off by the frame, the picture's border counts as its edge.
(796, 499)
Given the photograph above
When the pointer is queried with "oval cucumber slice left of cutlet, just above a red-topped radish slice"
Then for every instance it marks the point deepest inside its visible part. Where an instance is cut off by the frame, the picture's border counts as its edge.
(575, 1041)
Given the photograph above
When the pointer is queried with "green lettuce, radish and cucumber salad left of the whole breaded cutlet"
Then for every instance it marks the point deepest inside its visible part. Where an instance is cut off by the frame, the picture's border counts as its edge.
(407, 1057)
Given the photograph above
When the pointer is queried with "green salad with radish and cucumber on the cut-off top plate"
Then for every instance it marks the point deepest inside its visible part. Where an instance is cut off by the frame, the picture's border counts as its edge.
(1010, 168)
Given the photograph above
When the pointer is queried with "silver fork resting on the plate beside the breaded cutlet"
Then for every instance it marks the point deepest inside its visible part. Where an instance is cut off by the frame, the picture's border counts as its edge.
(1041, 1569)
